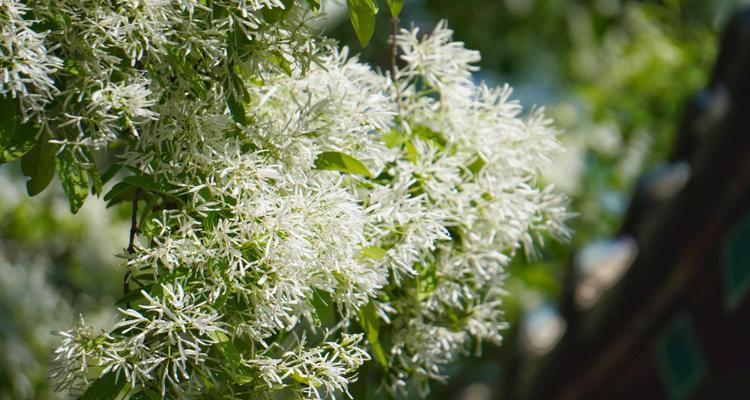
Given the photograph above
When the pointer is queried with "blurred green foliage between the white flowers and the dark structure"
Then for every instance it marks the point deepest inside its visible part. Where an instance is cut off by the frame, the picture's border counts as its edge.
(613, 74)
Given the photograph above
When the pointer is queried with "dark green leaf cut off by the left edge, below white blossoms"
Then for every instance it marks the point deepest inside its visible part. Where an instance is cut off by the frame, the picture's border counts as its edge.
(16, 139)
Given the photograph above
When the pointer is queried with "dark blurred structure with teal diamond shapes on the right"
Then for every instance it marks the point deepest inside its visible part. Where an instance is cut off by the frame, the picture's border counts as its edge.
(676, 324)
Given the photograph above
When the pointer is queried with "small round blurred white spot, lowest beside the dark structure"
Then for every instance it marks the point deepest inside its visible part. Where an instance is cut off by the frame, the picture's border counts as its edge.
(541, 329)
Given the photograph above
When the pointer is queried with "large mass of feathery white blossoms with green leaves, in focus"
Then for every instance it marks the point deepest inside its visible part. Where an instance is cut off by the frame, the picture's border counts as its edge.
(300, 214)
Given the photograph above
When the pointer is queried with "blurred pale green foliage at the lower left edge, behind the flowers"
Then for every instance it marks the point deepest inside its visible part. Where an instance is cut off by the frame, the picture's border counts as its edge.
(53, 266)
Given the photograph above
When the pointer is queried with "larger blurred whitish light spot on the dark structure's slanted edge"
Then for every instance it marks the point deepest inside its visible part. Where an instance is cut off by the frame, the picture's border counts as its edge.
(599, 265)
